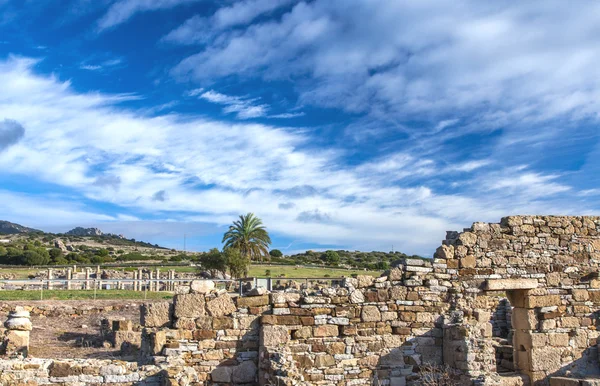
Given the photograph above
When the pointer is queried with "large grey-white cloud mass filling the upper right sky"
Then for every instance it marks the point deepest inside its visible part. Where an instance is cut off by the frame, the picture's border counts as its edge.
(500, 65)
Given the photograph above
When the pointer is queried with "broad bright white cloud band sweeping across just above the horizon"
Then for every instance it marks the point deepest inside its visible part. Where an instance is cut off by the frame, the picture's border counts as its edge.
(194, 169)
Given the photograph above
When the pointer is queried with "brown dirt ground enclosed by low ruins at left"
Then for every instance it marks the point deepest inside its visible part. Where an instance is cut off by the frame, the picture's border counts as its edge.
(73, 335)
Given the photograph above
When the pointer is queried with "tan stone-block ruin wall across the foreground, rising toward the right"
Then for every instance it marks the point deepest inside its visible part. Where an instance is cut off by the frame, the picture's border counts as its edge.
(514, 303)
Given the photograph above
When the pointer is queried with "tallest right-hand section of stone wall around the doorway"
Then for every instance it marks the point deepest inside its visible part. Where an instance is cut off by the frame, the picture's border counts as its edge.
(548, 268)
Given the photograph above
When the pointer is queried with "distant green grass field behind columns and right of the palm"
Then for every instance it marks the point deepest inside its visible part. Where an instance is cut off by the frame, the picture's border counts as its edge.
(255, 271)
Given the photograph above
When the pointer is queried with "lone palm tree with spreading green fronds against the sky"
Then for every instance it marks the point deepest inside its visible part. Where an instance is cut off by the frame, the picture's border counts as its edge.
(249, 236)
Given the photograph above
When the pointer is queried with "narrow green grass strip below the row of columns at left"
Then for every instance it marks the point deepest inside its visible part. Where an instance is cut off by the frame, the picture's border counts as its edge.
(81, 295)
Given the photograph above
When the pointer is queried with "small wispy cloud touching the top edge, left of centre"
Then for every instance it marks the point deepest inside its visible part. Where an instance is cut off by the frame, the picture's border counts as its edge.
(123, 10)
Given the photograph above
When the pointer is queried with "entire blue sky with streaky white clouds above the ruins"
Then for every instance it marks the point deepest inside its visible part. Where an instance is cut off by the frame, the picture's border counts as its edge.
(354, 124)
